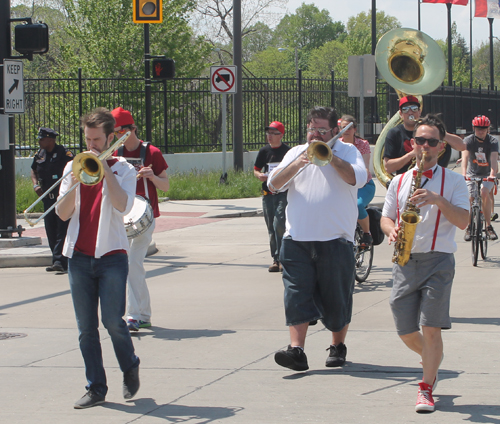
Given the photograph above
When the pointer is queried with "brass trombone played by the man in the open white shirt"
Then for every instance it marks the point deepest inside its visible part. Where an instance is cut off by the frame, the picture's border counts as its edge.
(87, 169)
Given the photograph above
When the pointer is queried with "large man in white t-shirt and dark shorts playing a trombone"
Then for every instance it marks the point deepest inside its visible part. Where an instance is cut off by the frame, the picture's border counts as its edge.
(317, 251)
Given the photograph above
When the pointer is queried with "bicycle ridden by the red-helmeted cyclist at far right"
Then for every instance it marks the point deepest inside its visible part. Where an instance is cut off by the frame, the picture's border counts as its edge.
(477, 224)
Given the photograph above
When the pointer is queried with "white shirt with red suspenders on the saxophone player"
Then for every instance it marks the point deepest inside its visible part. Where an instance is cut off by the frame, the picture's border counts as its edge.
(434, 232)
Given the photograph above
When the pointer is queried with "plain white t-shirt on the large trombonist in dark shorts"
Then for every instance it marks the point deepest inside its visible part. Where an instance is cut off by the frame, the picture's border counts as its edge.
(321, 205)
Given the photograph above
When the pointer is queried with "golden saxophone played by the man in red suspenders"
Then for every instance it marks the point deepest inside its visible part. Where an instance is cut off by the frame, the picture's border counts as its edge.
(409, 220)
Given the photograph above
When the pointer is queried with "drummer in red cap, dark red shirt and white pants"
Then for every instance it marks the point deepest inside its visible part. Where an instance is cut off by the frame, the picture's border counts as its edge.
(151, 173)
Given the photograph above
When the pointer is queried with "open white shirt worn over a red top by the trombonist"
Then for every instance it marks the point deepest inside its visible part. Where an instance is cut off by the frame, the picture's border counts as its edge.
(111, 235)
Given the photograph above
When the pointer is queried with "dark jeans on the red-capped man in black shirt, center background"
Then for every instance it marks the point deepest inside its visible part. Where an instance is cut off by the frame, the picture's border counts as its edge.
(273, 207)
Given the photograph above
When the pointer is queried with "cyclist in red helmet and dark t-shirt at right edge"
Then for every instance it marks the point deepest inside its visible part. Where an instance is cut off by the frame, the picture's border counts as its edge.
(480, 159)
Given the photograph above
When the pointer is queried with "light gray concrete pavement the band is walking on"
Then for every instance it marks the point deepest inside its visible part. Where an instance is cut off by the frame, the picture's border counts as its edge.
(217, 321)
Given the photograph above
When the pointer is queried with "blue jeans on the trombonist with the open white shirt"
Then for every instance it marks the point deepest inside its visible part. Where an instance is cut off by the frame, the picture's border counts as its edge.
(101, 280)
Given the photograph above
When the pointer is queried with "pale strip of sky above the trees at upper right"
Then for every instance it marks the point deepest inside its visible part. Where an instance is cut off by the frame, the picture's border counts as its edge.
(434, 17)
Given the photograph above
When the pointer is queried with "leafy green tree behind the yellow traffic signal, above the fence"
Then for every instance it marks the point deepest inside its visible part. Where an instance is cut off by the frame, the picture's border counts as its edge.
(105, 41)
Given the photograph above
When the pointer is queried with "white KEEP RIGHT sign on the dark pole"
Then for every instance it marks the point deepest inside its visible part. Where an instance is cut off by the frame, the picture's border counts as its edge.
(13, 86)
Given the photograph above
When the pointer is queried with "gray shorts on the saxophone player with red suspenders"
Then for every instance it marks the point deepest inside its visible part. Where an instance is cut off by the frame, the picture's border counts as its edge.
(421, 292)
